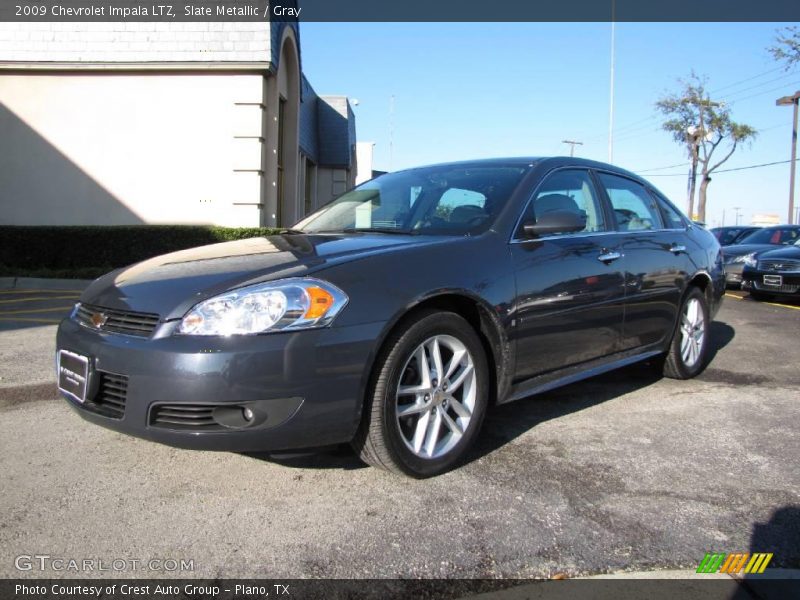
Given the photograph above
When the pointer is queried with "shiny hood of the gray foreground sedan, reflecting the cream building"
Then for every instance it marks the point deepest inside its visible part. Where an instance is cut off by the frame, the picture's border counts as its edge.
(169, 285)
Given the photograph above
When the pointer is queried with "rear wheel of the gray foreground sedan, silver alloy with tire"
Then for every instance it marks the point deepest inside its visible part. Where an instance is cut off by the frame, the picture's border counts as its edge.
(687, 357)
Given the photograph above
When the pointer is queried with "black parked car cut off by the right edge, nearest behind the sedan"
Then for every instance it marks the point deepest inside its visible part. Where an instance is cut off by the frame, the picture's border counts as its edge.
(775, 273)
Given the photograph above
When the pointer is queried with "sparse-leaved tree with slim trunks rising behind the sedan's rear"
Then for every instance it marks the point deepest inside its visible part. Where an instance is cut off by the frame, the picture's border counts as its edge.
(702, 126)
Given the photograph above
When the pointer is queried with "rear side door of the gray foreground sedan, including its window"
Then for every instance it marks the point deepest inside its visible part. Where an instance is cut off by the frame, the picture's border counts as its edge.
(656, 261)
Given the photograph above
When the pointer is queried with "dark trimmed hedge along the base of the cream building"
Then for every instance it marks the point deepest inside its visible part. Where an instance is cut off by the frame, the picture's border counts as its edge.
(86, 252)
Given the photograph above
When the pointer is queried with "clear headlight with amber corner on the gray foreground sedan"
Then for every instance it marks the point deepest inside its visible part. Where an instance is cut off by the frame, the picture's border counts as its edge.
(286, 304)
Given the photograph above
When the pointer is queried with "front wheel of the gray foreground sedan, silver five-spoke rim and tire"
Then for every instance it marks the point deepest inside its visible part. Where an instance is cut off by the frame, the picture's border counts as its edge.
(454, 407)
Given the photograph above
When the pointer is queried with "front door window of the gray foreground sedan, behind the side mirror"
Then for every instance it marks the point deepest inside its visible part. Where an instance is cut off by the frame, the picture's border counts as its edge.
(568, 190)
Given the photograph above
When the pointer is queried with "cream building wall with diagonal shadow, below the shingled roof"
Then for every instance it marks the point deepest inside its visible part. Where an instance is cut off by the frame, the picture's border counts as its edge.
(88, 148)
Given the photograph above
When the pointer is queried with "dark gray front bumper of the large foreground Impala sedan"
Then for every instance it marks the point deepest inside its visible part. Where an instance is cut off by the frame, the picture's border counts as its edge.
(304, 388)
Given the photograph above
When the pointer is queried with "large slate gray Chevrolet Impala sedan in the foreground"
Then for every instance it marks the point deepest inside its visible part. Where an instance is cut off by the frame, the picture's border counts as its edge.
(393, 316)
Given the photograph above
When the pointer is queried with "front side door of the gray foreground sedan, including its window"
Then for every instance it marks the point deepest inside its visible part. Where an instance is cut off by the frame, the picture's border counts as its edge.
(570, 285)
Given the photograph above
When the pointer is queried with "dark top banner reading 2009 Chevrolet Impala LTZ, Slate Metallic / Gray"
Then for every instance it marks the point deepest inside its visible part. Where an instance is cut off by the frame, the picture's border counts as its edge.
(401, 10)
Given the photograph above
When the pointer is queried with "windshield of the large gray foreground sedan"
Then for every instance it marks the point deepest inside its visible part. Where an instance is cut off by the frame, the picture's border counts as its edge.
(446, 200)
